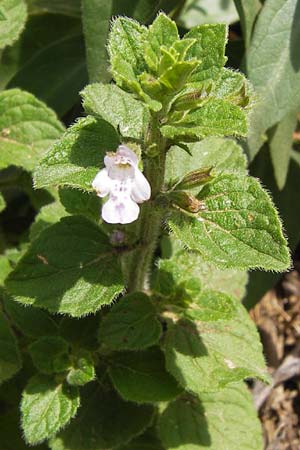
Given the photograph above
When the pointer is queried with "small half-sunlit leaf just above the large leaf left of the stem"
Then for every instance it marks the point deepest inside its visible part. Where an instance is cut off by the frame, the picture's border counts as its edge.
(47, 216)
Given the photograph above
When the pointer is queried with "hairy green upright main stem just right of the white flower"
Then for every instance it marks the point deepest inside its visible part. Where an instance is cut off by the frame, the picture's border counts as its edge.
(151, 217)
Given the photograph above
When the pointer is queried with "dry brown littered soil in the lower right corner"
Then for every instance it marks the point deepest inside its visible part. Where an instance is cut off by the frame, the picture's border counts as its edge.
(277, 316)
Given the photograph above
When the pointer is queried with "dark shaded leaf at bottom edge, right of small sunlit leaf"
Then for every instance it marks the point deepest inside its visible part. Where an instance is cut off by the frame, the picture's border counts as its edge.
(103, 421)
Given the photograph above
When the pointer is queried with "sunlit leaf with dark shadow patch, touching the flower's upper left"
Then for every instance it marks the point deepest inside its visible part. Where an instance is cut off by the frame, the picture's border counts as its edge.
(75, 159)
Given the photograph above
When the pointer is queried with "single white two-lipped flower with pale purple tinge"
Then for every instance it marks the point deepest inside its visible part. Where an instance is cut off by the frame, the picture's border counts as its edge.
(124, 183)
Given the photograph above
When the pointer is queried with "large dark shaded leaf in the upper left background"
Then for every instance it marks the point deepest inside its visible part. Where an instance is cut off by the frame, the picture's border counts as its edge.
(50, 52)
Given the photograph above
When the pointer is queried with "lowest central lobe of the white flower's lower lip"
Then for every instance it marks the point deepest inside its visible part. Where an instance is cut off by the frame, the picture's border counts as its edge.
(120, 211)
